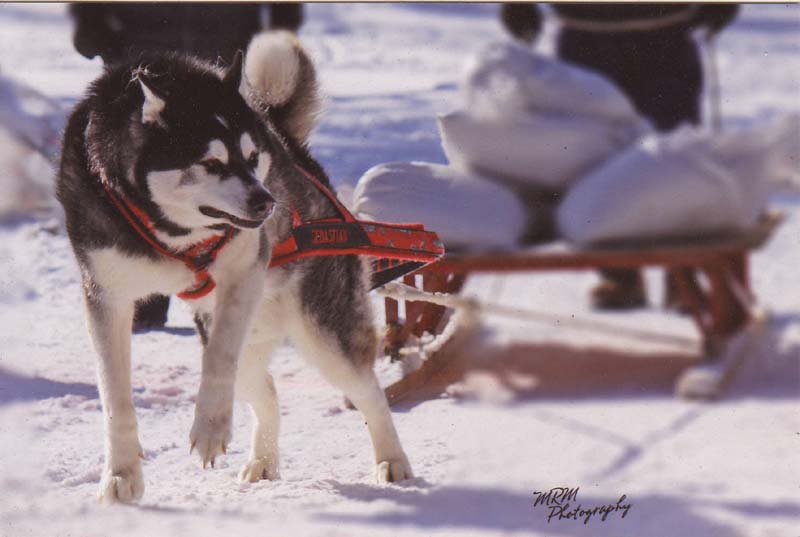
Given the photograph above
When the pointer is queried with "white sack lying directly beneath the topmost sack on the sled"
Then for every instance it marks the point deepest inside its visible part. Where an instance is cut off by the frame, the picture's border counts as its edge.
(544, 150)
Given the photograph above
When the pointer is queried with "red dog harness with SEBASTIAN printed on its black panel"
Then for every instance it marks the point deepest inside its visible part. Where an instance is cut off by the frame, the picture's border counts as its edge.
(398, 249)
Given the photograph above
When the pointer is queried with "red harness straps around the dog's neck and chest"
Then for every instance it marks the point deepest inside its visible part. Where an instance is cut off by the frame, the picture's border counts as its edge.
(196, 257)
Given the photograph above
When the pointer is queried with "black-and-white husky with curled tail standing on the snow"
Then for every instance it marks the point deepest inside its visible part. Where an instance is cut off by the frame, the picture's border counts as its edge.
(169, 156)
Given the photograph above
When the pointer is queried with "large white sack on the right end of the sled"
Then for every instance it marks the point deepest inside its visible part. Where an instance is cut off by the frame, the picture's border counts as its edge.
(674, 185)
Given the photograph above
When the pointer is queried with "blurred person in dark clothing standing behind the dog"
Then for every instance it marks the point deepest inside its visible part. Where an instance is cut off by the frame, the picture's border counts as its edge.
(122, 32)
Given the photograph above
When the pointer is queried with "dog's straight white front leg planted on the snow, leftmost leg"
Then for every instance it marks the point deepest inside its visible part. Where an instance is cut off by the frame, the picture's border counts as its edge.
(110, 321)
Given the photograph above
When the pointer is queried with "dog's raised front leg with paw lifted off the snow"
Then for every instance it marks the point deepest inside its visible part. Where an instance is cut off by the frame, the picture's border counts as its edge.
(236, 301)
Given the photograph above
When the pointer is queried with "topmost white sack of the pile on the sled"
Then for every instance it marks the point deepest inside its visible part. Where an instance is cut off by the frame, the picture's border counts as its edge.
(504, 79)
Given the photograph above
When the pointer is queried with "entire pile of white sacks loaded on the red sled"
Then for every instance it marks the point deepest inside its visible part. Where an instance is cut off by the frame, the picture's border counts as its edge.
(532, 121)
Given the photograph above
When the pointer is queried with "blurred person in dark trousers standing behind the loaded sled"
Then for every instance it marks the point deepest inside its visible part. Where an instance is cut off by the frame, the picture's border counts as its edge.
(650, 52)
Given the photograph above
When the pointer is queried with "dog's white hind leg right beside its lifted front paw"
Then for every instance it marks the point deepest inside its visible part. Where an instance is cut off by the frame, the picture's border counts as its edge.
(255, 386)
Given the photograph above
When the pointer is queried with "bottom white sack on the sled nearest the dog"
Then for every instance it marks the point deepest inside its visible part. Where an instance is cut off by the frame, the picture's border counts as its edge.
(464, 210)
